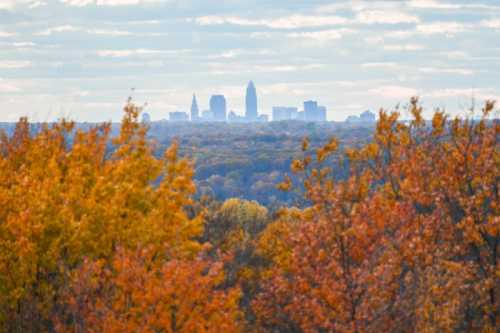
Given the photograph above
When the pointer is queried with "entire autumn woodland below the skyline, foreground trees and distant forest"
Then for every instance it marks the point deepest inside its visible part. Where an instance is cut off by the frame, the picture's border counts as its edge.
(390, 229)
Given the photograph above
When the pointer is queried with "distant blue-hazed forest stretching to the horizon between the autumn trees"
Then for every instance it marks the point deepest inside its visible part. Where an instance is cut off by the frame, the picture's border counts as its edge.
(244, 161)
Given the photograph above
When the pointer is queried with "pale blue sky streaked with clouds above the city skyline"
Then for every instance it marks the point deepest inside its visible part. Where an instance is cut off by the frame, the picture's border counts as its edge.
(82, 58)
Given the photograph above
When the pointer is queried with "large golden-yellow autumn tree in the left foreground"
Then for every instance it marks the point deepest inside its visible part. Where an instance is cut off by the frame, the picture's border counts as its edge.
(65, 198)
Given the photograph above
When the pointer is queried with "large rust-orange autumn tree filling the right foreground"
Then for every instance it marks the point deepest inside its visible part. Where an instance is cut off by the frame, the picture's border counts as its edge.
(409, 241)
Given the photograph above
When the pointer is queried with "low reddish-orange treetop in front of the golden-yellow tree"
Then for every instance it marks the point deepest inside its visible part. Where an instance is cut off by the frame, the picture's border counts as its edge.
(138, 294)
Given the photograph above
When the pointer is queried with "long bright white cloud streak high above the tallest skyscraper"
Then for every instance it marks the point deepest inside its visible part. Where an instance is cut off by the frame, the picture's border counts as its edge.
(289, 22)
